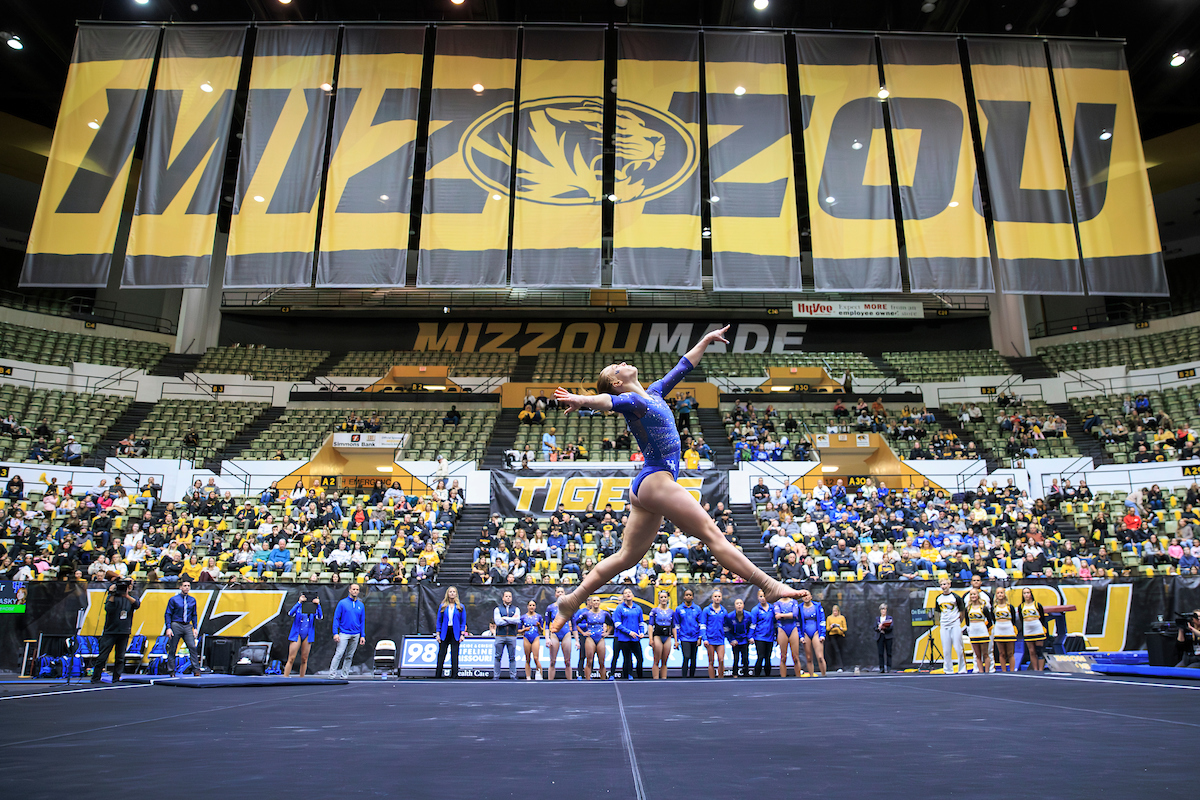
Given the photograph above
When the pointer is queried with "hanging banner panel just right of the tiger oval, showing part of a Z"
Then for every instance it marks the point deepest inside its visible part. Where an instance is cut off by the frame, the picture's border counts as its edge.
(755, 238)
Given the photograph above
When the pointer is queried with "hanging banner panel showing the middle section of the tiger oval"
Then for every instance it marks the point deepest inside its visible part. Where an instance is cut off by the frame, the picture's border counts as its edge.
(556, 236)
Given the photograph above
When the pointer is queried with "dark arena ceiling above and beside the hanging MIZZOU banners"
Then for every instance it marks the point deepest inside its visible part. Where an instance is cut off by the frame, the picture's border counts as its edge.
(1154, 29)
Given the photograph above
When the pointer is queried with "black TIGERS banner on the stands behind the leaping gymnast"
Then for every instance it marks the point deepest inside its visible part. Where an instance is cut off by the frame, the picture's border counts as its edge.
(541, 491)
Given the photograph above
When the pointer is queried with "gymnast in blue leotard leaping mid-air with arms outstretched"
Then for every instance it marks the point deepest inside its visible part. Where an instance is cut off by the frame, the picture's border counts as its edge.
(655, 495)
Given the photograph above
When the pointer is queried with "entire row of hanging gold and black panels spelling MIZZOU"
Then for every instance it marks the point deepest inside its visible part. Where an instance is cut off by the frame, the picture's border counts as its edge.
(523, 188)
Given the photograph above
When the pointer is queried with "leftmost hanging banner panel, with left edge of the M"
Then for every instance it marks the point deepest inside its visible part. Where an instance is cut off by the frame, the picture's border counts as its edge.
(79, 210)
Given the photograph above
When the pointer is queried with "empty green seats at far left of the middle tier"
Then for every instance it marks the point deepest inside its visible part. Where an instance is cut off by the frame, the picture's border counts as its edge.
(85, 416)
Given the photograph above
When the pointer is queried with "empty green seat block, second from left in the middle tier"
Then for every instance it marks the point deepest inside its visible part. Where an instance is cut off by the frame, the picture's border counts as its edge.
(217, 423)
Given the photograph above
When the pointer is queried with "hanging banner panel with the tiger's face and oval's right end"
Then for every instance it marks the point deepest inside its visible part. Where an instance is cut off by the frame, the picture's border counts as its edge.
(657, 215)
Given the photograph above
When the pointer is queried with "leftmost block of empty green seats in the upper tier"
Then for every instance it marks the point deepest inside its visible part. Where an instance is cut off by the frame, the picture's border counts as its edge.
(38, 346)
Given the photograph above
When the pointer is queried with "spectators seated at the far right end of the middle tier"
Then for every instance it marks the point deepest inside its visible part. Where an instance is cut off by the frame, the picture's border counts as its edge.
(1151, 436)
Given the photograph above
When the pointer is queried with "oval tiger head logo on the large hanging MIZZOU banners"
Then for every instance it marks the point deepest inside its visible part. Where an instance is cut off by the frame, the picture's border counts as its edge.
(561, 140)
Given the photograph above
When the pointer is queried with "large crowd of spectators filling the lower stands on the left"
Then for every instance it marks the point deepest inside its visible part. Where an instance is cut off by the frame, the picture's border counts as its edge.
(385, 537)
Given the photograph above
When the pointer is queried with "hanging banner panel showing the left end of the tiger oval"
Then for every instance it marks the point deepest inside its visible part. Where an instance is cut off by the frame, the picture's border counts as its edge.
(465, 214)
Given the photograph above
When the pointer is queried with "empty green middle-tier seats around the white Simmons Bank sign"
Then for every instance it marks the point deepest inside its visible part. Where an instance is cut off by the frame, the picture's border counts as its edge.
(302, 431)
